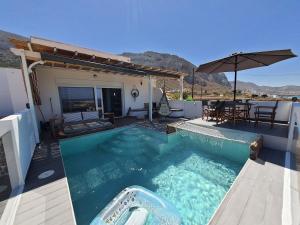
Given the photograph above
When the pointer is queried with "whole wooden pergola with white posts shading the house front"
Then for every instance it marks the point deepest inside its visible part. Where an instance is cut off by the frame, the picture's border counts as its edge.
(35, 51)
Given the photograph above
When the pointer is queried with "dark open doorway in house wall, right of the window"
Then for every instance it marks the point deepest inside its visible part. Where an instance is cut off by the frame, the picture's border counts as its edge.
(112, 100)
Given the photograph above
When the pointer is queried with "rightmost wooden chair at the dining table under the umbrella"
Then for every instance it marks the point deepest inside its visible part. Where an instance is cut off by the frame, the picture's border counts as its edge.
(265, 113)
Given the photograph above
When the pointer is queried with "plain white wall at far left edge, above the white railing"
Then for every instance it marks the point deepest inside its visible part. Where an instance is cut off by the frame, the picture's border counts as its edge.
(13, 97)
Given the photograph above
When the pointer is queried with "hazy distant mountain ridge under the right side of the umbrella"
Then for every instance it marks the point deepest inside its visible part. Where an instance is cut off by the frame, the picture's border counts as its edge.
(256, 89)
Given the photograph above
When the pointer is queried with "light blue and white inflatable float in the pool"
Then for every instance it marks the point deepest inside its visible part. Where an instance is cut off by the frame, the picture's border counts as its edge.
(142, 202)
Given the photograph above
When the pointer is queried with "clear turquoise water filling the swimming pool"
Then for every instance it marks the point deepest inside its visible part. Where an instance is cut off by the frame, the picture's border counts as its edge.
(192, 171)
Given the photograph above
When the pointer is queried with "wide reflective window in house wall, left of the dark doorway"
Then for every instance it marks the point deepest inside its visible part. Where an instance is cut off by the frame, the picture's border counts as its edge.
(77, 99)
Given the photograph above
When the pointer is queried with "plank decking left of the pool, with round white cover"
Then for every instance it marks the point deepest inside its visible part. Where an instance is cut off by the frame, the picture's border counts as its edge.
(46, 201)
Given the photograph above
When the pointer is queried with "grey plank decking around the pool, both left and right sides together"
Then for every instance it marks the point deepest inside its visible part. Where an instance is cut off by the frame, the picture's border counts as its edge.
(255, 198)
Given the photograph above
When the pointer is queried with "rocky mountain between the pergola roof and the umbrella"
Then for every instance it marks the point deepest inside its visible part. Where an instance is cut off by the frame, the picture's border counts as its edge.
(217, 81)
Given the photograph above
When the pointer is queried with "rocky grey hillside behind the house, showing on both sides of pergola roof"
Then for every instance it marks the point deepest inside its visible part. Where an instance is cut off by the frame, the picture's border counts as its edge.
(210, 82)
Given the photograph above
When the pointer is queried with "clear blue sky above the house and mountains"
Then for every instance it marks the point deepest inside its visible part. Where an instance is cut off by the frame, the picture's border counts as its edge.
(198, 30)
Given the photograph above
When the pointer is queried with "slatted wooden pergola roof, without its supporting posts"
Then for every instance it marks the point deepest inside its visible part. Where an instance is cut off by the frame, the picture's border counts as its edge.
(58, 54)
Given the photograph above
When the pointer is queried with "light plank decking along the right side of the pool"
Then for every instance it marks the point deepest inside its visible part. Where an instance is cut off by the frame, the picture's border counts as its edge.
(256, 196)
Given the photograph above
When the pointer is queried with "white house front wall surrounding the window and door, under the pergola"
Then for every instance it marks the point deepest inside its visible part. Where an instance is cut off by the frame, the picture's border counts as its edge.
(49, 79)
